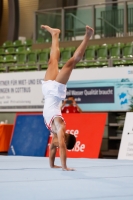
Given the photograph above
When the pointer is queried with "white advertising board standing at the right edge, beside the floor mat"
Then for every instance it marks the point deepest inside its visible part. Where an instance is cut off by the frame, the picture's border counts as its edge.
(126, 146)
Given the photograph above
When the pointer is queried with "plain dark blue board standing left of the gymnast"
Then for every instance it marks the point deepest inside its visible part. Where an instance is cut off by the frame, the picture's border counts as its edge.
(30, 136)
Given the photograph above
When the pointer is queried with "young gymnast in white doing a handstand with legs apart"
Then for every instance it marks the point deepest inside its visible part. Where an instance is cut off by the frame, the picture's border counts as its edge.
(54, 91)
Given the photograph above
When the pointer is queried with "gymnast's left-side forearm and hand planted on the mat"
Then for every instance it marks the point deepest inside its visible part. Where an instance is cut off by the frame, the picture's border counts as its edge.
(52, 153)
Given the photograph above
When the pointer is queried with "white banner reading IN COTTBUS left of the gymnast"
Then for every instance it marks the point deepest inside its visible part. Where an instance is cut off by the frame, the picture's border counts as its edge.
(21, 91)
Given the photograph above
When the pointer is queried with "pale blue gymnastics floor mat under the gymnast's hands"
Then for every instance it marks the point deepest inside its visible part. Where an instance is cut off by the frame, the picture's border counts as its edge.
(31, 178)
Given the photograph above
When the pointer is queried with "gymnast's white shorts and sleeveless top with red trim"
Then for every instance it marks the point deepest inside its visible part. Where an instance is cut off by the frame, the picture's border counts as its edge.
(53, 92)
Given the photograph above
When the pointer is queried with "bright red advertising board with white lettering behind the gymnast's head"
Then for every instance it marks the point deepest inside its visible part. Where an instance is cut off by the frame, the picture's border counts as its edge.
(88, 129)
